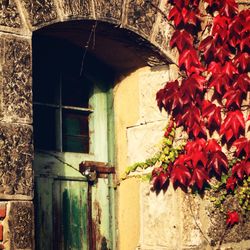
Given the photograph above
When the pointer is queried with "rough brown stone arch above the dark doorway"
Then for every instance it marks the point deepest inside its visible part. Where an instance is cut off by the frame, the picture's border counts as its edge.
(143, 18)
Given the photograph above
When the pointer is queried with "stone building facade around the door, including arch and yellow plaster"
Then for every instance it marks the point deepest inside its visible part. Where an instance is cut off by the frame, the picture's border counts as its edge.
(139, 30)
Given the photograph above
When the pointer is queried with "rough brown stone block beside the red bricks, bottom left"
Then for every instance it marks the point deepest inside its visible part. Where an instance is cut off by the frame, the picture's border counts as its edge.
(21, 225)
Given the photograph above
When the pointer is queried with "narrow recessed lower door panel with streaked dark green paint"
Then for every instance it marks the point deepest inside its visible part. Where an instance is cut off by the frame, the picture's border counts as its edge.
(70, 214)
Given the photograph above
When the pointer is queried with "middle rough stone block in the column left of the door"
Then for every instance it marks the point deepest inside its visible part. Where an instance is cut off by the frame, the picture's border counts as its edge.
(16, 155)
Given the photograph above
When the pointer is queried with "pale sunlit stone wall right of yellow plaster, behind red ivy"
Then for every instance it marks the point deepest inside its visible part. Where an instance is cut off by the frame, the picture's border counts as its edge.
(173, 220)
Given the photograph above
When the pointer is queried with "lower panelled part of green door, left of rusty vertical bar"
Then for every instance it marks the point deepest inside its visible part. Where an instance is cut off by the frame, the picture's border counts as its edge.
(62, 214)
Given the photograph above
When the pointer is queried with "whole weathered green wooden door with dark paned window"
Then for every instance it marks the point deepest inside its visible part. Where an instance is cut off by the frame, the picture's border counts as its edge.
(72, 123)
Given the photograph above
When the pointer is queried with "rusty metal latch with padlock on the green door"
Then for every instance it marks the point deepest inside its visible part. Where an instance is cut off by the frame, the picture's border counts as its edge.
(93, 170)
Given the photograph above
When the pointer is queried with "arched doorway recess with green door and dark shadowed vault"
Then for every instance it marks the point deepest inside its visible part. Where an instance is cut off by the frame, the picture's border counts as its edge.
(74, 69)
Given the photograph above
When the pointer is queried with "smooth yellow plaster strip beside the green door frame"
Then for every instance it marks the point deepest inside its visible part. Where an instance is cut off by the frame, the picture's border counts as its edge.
(126, 108)
